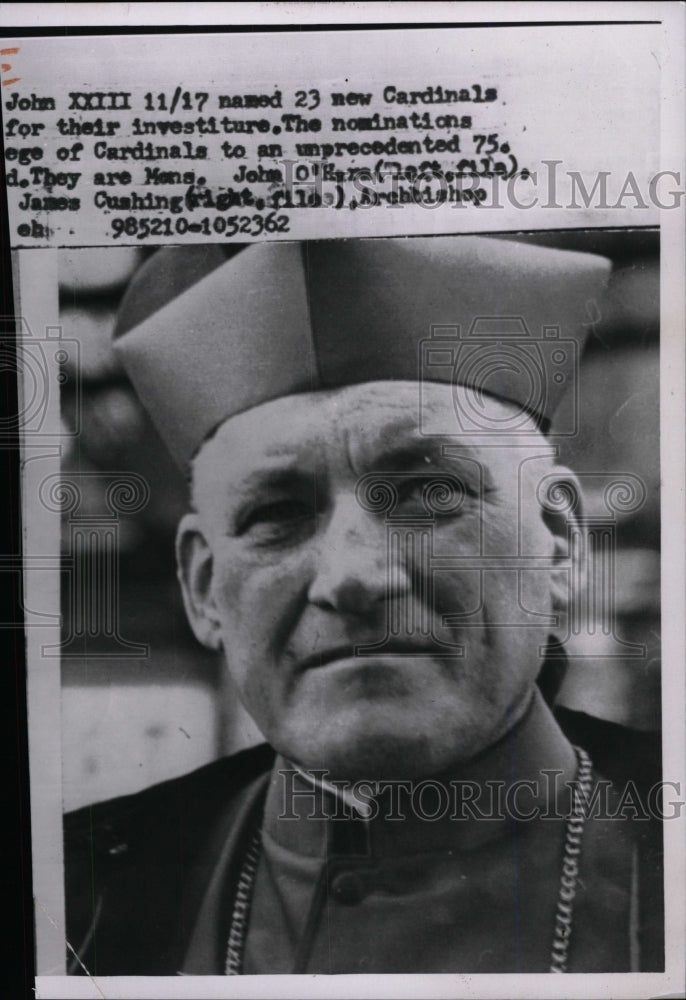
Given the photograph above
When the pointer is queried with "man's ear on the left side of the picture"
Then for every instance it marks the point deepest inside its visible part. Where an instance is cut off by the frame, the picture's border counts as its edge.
(194, 567)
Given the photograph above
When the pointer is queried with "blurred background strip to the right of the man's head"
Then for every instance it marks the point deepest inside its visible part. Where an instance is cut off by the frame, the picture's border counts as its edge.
(619, 432)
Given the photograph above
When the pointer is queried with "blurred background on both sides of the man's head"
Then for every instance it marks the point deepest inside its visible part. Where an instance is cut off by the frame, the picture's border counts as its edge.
(177, 706)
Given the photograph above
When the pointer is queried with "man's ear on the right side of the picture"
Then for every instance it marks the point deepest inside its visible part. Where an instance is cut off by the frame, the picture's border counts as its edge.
(562, 515)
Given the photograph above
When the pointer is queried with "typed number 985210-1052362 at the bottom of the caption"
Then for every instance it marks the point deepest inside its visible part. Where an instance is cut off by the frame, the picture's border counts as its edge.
(219, 225)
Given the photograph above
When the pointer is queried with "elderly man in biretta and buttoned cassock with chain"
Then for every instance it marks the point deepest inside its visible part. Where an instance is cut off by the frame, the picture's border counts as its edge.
(372, 547)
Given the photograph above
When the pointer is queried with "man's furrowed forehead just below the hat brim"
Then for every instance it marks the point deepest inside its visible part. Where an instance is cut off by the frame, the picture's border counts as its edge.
(363, 424)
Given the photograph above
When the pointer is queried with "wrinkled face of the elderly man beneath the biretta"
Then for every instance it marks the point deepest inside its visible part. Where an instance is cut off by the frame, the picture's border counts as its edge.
(295, 570)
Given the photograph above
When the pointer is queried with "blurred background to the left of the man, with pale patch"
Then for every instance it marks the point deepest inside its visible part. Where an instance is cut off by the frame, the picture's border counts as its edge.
(171, 704)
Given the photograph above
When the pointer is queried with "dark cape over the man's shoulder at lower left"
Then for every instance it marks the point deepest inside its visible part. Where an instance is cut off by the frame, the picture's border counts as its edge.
(135, 867)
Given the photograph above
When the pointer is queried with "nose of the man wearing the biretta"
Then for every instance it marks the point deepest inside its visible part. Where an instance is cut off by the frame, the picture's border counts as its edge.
(354, 572)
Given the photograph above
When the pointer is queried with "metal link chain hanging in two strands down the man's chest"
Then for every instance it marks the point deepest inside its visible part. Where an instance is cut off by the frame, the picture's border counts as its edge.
(574, 830)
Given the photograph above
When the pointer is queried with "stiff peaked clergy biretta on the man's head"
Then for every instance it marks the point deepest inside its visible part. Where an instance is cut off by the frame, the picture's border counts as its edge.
(205, 333)
